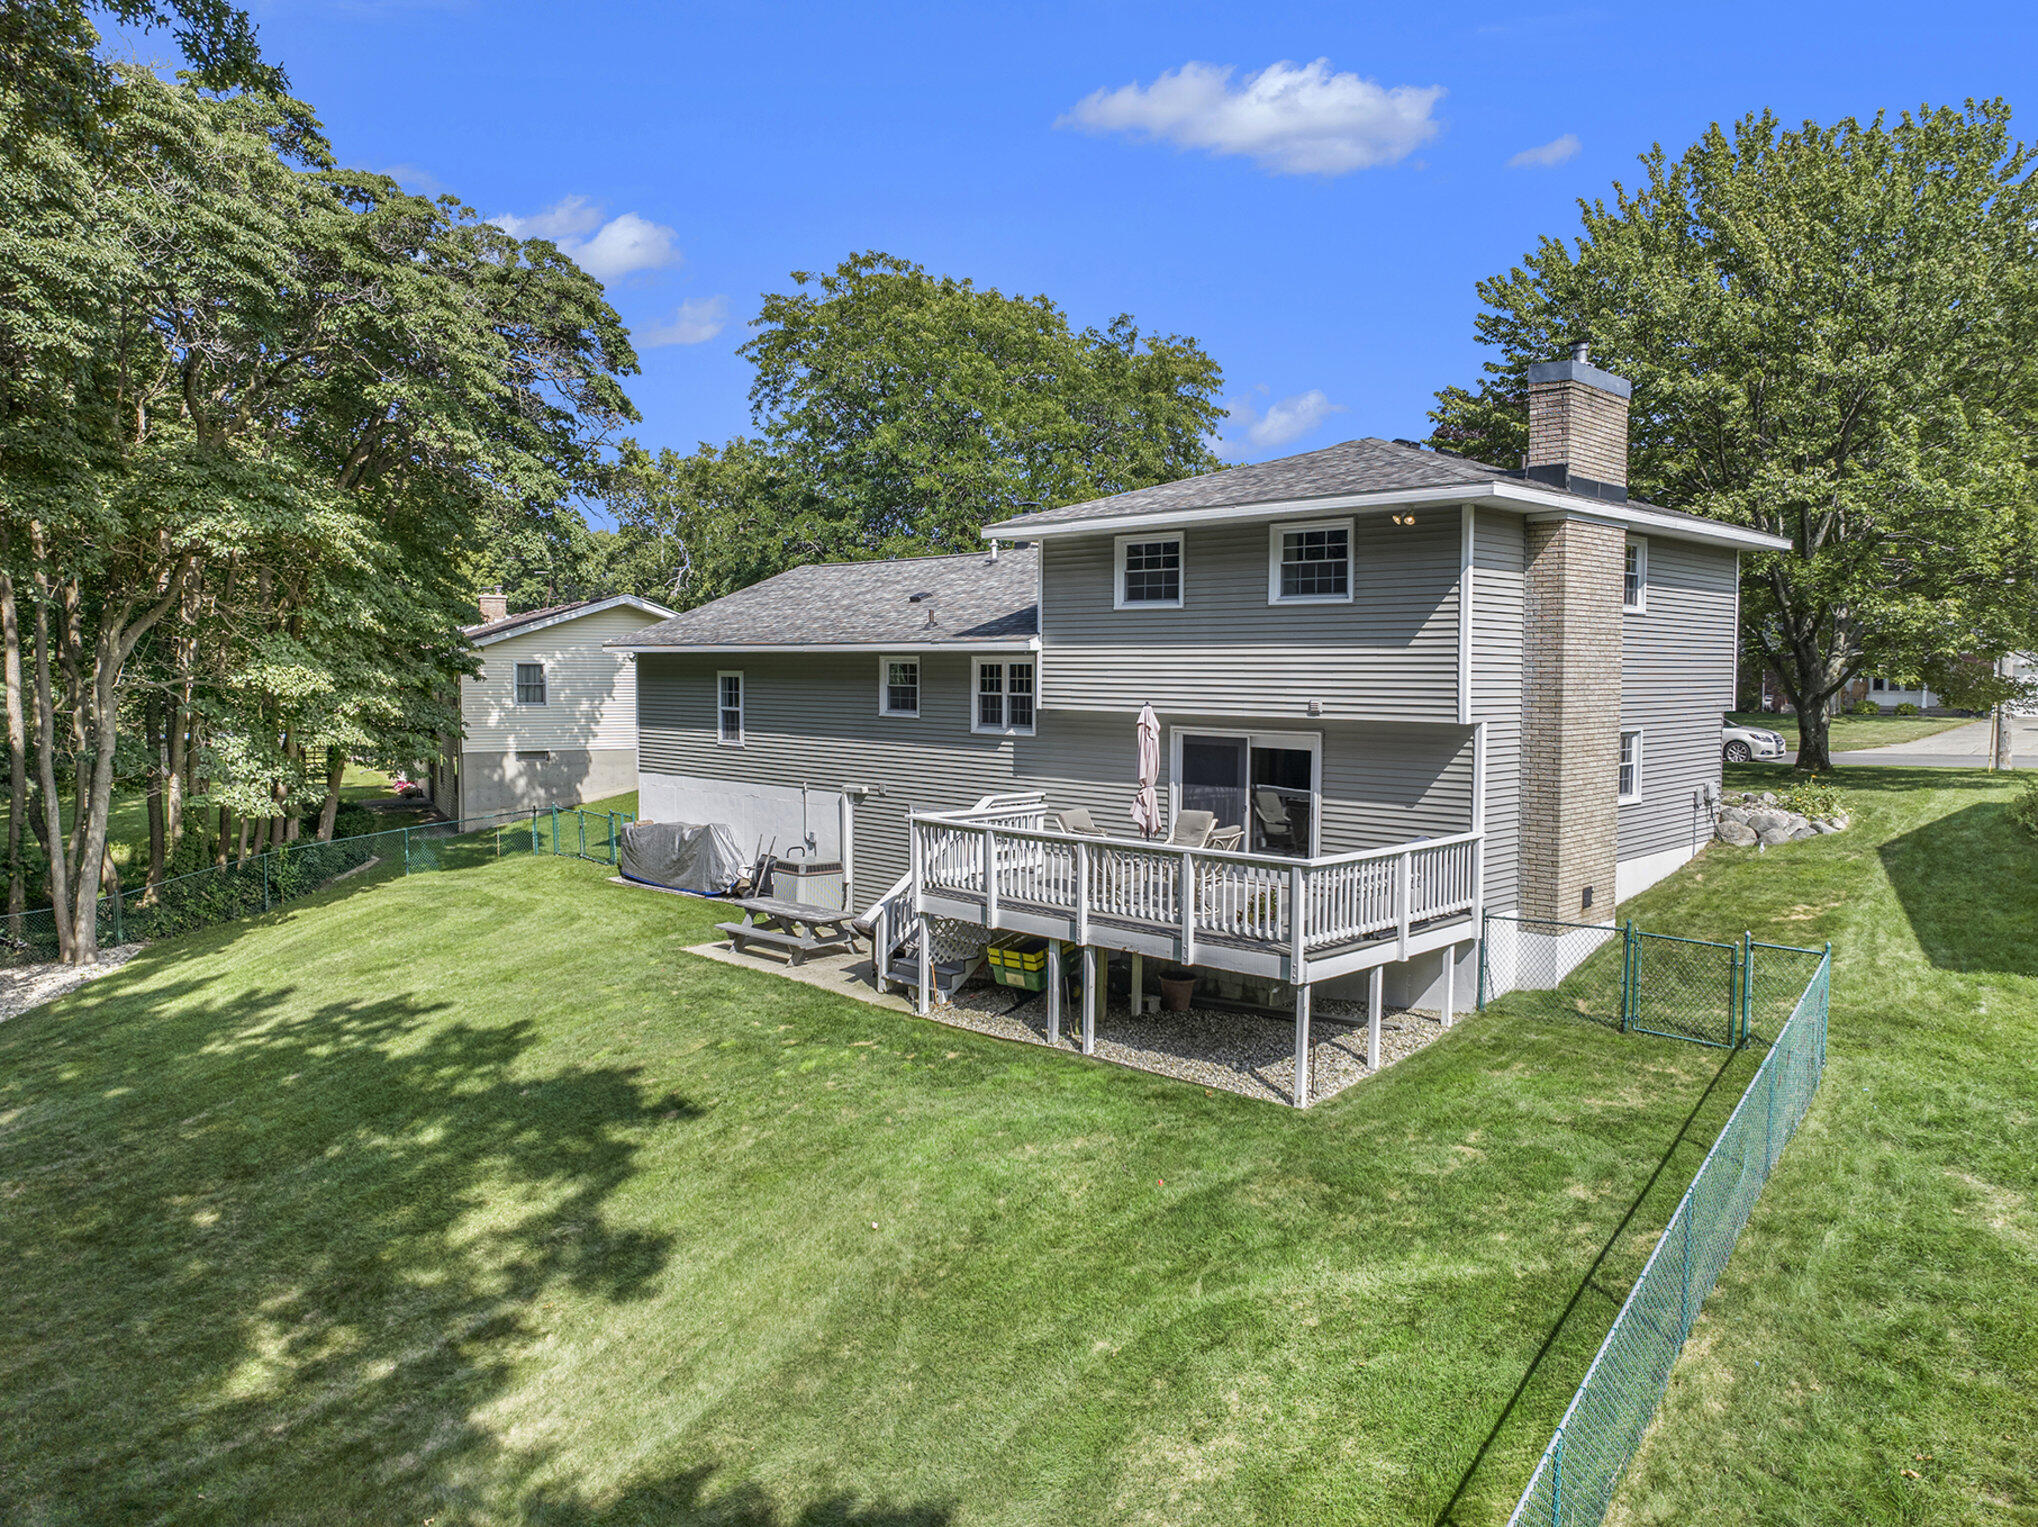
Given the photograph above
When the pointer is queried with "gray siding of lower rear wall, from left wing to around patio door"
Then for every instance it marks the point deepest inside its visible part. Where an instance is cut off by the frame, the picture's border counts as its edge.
(812, 719)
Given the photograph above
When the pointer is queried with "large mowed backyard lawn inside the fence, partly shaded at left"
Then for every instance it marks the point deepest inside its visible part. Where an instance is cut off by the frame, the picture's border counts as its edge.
(472, 1198)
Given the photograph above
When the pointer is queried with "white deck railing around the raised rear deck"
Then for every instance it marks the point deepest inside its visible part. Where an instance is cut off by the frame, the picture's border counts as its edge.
(1002, 855)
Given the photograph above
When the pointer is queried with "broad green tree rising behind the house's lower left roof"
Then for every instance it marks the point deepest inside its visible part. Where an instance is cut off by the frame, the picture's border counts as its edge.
(908, 411)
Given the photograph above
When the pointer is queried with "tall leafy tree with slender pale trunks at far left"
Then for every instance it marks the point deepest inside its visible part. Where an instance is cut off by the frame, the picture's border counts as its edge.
(266, 411)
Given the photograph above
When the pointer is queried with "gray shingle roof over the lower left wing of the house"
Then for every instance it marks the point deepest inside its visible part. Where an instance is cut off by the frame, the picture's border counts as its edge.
(971, 598)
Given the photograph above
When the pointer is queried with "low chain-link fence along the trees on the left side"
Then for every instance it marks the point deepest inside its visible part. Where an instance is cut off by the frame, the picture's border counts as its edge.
(246, 888)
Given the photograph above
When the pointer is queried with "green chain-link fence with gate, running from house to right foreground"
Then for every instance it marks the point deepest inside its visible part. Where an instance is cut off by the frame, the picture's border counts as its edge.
(1713, 994)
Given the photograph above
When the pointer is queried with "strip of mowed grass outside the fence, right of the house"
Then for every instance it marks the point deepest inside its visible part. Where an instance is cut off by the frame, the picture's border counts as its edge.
(1882, 1310)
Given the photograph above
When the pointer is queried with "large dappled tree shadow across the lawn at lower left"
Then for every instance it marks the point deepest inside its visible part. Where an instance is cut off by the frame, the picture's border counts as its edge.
(270, 1261)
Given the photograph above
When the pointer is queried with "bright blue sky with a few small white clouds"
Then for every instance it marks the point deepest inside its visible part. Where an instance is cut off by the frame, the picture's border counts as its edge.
(1320, 229)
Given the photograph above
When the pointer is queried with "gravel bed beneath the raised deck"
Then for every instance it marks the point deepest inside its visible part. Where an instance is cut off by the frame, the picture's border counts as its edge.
(1240, 1053)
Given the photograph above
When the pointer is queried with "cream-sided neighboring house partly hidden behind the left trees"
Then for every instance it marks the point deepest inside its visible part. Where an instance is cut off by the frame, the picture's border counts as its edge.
(551, 719)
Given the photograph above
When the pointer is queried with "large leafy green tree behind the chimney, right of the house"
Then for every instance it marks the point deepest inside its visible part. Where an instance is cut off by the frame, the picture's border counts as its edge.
(1833, 335)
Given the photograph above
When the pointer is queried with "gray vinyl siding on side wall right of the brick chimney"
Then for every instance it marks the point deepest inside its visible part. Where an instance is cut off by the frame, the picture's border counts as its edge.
(1676, 678)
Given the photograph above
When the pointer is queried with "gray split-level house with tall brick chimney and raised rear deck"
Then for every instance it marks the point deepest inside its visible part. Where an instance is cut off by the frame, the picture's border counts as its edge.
(1419, 686)
